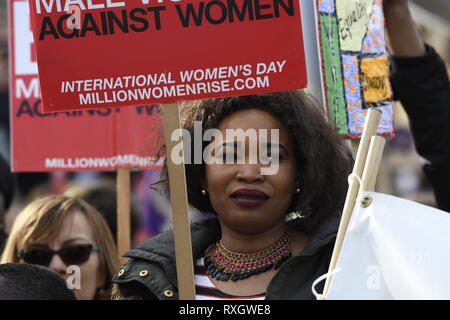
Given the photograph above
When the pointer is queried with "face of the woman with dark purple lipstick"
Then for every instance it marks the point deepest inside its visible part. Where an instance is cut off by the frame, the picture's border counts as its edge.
(245, 200)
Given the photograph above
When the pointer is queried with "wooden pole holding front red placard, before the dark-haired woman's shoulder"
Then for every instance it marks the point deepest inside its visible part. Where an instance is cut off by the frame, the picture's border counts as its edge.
(180, 209)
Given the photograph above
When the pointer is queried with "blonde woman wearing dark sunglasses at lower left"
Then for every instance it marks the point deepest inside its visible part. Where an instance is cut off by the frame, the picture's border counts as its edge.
(59, 232)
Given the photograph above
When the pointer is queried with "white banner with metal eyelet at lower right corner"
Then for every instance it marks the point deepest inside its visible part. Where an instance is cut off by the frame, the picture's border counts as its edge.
(394, 249)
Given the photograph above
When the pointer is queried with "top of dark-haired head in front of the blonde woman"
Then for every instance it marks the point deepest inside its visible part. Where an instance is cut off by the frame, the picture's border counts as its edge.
(20, 281)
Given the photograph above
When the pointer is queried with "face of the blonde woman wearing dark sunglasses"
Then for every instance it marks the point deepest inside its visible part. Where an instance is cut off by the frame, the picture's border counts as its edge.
(77, 230)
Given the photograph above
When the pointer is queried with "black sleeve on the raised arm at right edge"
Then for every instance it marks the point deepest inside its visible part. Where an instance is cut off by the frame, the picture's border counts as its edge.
(422, 86)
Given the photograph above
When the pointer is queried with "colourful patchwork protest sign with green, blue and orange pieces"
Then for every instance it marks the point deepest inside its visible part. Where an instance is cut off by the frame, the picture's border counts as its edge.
(354, 64)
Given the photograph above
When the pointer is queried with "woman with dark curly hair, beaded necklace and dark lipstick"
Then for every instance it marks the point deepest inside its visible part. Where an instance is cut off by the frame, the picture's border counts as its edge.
(250, 251)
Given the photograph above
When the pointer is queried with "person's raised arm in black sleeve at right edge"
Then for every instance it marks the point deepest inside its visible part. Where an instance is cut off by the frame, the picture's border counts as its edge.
(420, 82)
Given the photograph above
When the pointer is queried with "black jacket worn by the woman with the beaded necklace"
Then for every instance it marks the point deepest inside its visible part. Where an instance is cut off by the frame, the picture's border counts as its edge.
(150, 273)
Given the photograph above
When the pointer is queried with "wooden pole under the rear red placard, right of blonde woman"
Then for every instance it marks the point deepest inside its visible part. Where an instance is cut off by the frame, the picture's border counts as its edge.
(123, 212)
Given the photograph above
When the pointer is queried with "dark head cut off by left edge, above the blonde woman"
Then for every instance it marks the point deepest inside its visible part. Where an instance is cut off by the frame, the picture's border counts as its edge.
(7, 190)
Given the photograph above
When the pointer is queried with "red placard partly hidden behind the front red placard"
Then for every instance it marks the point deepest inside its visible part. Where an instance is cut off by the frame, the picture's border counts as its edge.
(99, 140)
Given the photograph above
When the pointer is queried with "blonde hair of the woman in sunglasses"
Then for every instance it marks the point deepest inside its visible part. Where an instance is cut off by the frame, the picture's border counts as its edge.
(41, 221)
